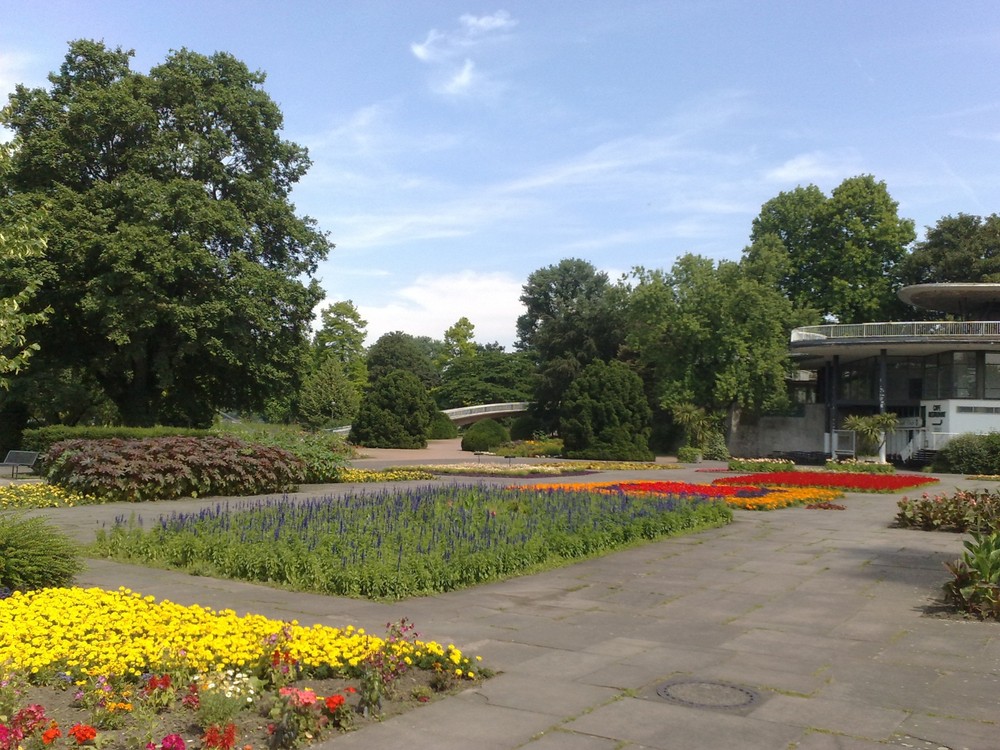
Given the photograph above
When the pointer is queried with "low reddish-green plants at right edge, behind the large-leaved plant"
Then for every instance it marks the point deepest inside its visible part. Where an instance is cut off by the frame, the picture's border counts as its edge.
(960, 511)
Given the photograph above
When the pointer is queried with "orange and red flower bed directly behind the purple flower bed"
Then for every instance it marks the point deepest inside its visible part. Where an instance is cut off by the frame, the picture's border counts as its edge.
(747, 497)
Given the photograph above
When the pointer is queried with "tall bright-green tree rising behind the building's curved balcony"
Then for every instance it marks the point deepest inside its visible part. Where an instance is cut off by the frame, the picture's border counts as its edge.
(843, 252)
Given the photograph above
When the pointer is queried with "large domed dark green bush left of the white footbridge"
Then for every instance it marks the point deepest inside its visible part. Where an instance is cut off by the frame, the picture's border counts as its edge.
(395, 412)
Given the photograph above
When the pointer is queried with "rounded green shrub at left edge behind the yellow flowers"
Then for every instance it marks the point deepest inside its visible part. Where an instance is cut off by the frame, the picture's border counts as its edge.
(34, 555)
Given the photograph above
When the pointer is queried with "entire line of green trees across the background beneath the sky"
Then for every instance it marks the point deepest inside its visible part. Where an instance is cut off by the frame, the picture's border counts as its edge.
(175, 278)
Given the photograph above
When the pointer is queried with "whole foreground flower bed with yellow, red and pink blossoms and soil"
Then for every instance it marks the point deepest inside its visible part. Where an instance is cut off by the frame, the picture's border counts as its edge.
(117, 670)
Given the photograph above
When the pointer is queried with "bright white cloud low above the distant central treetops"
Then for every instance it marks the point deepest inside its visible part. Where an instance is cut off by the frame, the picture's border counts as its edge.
(432, 303)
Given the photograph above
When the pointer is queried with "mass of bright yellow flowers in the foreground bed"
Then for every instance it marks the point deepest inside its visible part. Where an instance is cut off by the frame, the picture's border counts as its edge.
(90, 632)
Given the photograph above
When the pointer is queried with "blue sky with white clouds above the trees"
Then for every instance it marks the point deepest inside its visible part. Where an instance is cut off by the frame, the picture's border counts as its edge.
(459, 146)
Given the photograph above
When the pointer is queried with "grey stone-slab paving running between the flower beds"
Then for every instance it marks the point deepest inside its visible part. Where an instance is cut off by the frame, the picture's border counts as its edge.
(798, 628)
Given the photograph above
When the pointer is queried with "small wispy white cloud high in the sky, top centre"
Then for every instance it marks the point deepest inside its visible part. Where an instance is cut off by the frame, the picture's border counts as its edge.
(451, 53)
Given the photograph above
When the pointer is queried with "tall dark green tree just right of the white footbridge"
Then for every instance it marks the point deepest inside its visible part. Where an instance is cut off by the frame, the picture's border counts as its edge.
(573, 316)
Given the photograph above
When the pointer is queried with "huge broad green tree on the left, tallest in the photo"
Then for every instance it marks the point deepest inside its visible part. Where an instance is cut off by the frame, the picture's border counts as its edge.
(175, 259)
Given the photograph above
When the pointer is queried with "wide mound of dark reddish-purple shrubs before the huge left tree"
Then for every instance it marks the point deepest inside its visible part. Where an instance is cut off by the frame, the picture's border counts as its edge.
(170, 468)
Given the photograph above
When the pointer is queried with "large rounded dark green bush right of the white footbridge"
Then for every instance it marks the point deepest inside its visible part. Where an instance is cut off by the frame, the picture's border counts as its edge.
(605, 415)
